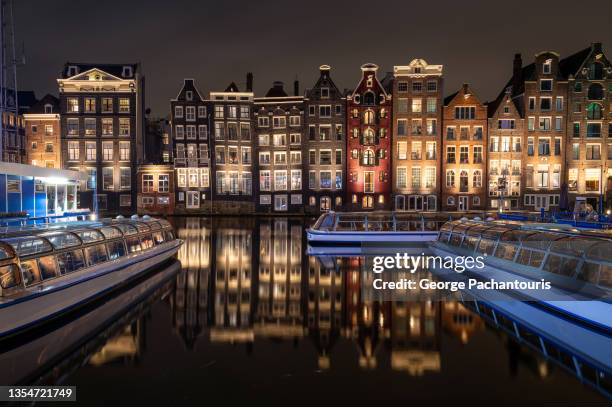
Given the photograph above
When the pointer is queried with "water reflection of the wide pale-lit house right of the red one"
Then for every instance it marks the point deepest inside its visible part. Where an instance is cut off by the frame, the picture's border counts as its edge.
(415, 336)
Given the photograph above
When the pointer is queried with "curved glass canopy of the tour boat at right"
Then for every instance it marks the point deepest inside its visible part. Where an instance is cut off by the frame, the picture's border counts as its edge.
(569, 253)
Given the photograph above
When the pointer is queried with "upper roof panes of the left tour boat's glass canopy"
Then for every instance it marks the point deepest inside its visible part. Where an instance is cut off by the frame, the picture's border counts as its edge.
(29, 241)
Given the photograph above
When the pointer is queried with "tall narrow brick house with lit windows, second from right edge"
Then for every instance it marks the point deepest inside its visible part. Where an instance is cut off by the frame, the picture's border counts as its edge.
(543, 166)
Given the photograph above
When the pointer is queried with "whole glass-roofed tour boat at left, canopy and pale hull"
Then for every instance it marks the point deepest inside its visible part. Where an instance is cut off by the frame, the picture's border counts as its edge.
(48, 271)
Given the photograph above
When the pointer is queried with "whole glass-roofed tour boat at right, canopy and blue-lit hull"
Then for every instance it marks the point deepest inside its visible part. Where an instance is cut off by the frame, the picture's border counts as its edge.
(578, 265)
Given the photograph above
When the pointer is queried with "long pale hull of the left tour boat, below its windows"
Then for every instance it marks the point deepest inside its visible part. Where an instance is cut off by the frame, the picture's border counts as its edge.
(63, 295)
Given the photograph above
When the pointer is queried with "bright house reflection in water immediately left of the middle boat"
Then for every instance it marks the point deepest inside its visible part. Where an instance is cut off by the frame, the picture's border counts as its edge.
(279, 297)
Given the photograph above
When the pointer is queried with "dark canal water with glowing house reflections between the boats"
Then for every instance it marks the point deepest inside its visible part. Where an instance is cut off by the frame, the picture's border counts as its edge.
(247, 317)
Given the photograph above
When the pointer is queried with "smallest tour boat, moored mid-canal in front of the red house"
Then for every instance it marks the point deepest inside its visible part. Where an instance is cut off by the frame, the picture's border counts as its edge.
(357, 229)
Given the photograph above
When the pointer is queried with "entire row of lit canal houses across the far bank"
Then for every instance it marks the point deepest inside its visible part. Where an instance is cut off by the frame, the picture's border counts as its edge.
(399, 140)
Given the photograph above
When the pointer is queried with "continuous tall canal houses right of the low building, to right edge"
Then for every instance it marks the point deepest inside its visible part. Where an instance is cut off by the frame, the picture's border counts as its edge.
(395, 141)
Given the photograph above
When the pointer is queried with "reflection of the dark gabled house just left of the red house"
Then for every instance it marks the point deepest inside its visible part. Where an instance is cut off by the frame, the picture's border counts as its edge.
(324, 310)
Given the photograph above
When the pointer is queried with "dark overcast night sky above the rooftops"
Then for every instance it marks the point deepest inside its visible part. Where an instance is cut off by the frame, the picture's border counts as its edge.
(217, 42)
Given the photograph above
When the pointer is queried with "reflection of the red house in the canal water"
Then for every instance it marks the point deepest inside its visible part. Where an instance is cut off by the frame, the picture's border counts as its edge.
(367, 320)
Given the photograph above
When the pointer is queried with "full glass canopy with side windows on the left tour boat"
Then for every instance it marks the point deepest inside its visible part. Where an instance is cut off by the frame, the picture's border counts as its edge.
(29, 260)
